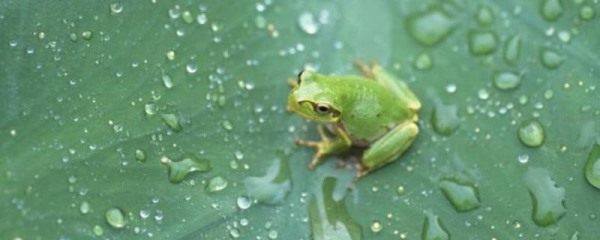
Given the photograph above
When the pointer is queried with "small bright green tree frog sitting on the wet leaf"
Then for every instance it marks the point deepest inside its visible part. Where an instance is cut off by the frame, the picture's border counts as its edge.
(376, 112)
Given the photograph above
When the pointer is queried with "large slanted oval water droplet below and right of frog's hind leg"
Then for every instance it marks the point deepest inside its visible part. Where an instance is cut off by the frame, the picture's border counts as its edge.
(463, 195)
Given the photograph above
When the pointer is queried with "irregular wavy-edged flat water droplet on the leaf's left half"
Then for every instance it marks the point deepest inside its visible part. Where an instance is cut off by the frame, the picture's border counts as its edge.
(178, 170)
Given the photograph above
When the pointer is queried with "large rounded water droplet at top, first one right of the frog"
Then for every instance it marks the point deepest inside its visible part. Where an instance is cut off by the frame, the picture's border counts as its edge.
(430, 27)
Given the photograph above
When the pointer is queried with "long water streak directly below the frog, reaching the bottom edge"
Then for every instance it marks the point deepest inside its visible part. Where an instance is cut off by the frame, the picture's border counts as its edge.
(329, 218)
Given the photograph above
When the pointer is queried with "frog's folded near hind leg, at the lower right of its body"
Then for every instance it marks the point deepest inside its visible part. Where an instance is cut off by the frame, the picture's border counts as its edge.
(389, 147)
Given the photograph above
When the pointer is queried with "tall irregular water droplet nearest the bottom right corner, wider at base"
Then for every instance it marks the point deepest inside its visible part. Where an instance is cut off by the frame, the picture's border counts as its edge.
(547, 198)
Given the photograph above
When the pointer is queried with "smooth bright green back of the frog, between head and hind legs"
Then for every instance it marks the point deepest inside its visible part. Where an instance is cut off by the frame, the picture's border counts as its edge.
(369, 109)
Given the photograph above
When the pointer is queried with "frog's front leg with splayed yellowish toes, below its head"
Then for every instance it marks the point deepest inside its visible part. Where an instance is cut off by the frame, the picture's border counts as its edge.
(326, 146)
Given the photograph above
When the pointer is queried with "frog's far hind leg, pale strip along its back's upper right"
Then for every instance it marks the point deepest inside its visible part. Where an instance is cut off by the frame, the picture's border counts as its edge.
(397, 86)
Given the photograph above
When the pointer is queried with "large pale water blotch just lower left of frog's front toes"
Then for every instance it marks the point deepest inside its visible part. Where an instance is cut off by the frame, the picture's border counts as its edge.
(273, 187)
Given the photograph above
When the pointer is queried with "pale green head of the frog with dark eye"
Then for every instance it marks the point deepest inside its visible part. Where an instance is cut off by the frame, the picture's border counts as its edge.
(309, 99)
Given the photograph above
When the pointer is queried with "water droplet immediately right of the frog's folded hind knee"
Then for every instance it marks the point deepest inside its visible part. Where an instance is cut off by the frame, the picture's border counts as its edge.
(445, 118)
